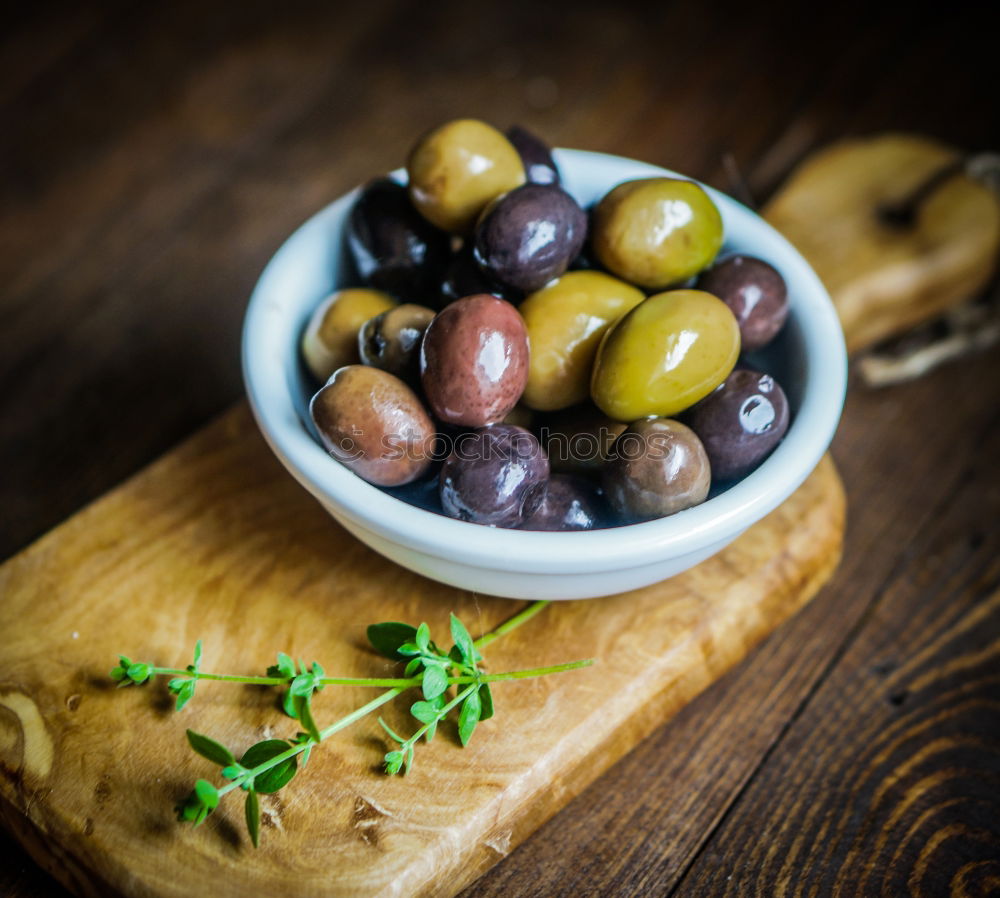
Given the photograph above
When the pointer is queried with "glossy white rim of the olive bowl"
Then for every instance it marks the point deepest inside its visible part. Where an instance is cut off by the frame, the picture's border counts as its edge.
(264, 360)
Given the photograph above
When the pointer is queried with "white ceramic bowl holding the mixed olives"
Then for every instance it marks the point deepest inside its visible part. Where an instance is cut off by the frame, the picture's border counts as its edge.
(808, 359)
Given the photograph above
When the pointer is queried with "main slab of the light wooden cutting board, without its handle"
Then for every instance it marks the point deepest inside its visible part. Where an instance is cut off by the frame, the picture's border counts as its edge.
(215, 541)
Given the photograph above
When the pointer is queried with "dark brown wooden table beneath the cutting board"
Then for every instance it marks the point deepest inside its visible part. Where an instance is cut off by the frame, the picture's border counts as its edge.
(154, 156)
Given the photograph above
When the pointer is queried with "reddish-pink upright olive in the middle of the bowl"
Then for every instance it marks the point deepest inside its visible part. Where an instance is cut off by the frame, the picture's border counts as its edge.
(474, 361)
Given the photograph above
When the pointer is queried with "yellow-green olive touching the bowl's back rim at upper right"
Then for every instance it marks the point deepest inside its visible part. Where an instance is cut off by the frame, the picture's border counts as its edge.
(655, 232)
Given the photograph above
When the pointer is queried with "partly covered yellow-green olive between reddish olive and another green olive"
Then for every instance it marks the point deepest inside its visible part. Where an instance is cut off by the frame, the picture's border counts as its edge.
(565, 322)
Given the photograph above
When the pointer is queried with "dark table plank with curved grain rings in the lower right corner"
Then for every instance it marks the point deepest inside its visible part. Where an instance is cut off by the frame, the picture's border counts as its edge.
(887, 781)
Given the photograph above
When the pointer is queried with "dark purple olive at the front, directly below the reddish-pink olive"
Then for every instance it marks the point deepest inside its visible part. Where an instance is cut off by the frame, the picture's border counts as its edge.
(490, 474)
